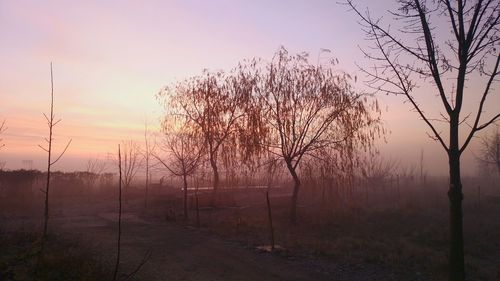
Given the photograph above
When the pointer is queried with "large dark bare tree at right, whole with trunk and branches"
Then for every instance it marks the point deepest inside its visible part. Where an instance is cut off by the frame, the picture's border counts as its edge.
(446, 43)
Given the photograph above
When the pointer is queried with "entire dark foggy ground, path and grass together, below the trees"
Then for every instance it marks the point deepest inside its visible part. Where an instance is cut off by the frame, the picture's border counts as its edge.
(394, 231)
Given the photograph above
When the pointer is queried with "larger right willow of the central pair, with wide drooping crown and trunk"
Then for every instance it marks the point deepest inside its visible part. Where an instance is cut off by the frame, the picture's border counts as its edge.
(308, 108)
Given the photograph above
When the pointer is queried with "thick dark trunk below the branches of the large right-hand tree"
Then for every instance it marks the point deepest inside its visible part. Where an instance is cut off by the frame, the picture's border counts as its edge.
(455, 196)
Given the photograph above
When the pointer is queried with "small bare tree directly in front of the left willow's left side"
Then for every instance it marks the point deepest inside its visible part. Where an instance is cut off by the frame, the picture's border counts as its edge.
(184, 153)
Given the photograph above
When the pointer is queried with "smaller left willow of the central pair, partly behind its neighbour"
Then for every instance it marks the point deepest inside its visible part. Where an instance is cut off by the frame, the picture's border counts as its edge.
(212, 109)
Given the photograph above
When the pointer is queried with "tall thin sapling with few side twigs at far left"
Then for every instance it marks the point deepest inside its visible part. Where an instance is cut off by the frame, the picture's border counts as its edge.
(51, 123)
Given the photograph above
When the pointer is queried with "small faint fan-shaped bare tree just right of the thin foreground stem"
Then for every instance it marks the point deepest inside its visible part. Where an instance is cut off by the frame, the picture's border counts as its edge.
(131, 162)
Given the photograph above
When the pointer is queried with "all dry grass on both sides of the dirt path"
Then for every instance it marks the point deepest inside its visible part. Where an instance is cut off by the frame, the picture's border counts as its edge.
(405, 232)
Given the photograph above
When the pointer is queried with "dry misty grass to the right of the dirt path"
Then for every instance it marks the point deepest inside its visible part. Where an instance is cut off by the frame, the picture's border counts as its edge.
(411, 236)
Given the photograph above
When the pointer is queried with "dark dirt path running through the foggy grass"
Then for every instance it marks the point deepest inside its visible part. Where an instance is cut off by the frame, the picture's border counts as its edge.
(181, 253)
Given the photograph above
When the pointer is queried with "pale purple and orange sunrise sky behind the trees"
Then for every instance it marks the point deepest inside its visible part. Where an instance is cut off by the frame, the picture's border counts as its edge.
(110, 58)
